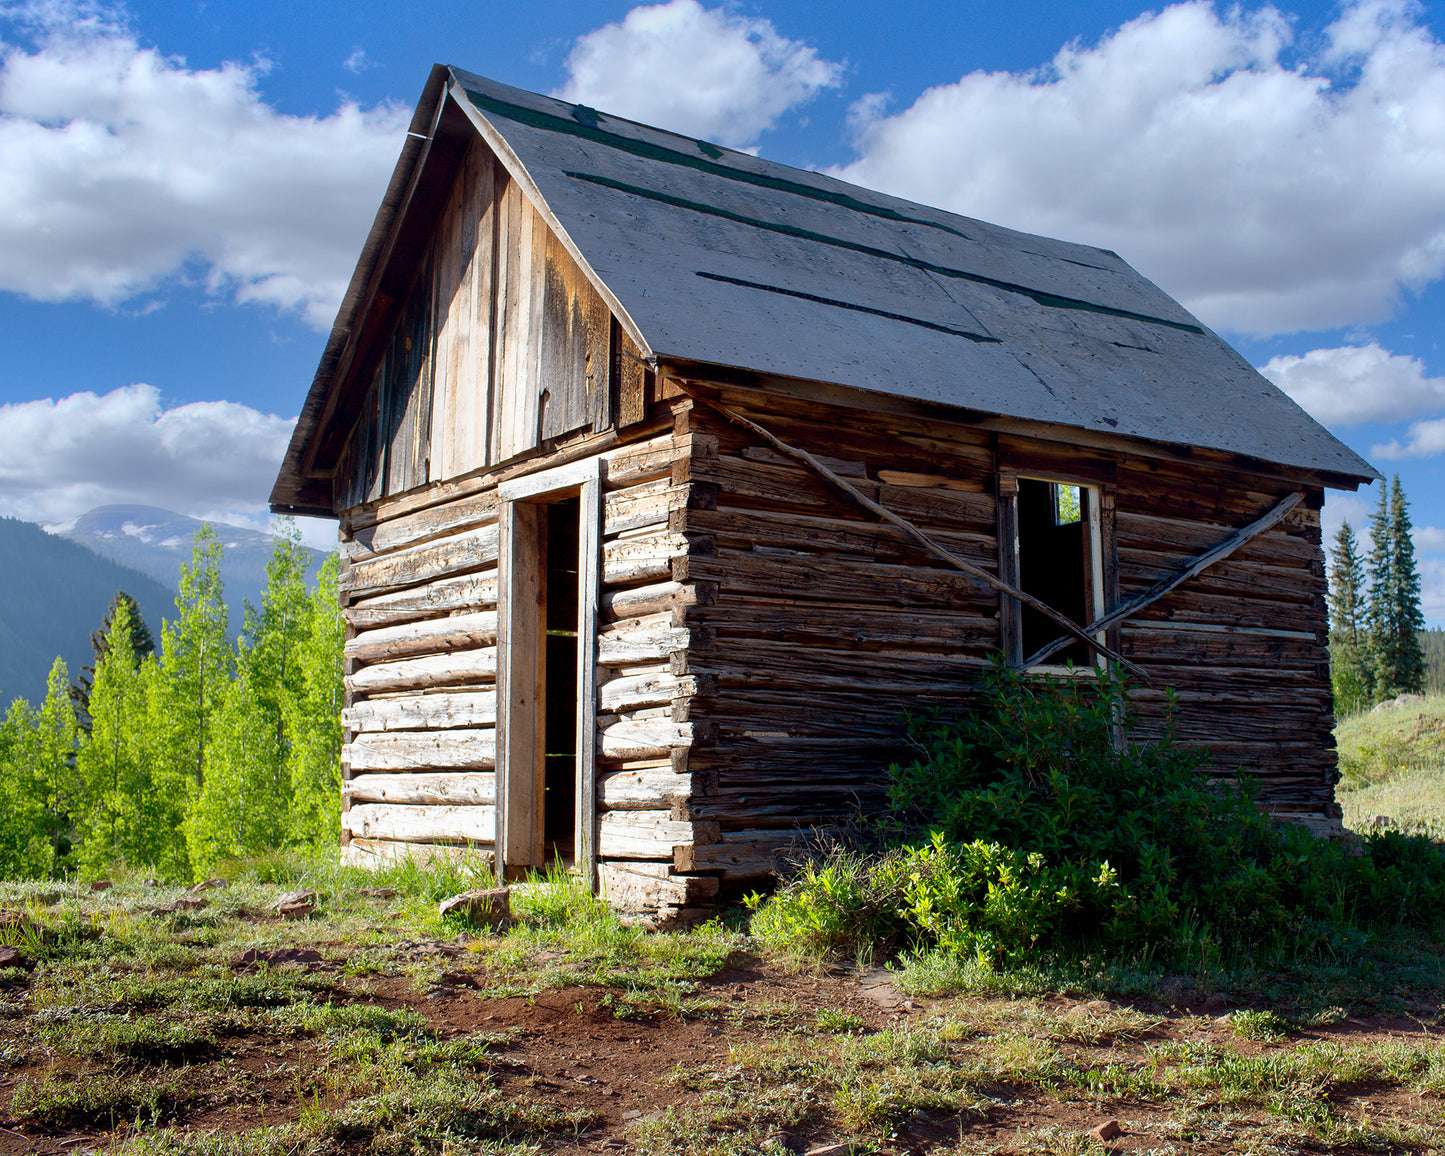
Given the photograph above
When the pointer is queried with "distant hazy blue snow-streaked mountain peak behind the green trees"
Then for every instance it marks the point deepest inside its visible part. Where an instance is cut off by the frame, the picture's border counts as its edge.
(157, 543)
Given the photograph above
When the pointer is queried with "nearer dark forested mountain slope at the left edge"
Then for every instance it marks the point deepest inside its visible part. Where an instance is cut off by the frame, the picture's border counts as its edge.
(53, 595)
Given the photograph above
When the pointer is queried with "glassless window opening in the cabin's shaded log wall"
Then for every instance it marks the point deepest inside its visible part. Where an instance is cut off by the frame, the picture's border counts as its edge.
(1060, 561)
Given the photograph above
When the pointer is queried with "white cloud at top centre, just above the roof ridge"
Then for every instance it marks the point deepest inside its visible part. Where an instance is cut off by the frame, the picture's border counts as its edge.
(702, 72)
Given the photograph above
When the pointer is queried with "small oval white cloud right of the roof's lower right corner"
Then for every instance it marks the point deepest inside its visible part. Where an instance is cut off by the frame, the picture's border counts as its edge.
(1358, 384)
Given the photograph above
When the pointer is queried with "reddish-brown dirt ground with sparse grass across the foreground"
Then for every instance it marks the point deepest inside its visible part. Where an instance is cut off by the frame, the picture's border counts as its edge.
(230, 1031)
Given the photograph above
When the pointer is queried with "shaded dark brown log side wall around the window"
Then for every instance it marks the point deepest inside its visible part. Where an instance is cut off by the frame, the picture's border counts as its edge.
(821, 626)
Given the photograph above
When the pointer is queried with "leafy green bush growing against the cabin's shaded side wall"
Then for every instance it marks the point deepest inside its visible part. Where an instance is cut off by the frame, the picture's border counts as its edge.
(1040, 824)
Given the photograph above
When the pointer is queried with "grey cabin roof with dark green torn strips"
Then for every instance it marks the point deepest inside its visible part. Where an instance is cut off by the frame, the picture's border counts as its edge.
(720, 258)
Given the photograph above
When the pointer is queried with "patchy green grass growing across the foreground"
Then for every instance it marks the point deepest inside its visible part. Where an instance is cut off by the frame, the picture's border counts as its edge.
(138, 1031)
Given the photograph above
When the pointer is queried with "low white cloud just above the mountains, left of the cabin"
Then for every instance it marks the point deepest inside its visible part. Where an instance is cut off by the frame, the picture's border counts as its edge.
(60, 459)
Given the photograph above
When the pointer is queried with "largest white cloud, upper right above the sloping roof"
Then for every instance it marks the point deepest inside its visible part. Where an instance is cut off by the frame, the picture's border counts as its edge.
(1269, 197)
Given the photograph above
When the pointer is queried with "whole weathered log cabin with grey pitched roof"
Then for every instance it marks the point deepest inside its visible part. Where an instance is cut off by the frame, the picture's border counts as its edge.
(668, 478)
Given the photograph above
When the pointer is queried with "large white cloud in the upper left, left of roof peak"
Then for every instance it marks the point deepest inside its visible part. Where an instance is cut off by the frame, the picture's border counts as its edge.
(126, 168)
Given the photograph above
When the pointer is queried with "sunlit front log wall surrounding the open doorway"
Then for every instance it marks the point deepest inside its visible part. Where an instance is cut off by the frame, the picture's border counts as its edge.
(420, 592)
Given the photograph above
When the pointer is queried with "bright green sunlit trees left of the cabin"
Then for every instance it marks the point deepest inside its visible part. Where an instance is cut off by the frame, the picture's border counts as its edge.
(190, 755)
